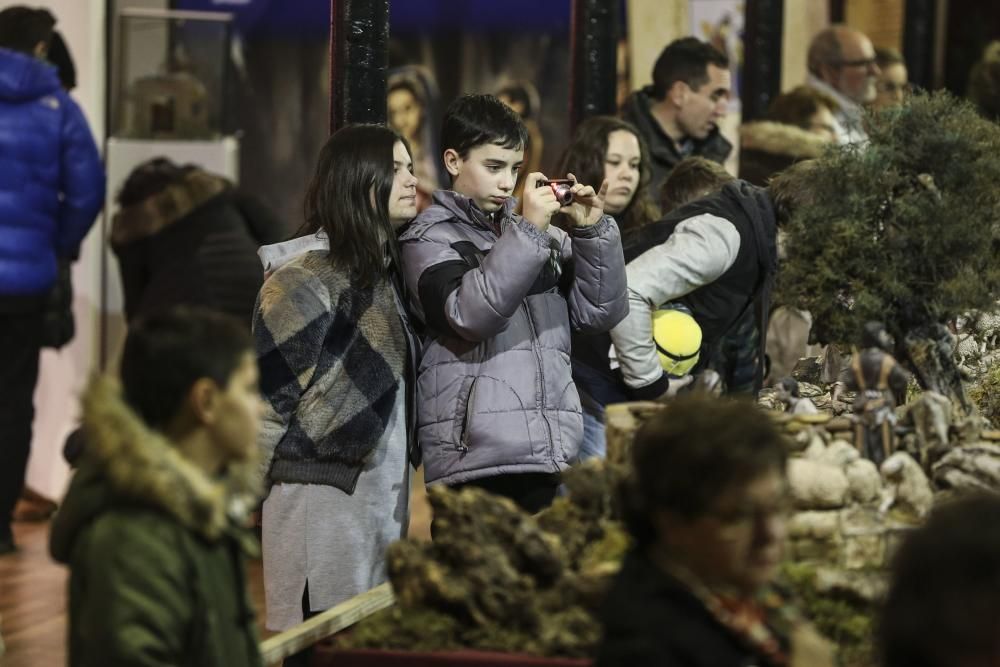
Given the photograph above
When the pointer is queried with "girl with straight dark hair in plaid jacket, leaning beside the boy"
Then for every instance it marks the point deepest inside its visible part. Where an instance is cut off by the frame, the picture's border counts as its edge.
(337, 357)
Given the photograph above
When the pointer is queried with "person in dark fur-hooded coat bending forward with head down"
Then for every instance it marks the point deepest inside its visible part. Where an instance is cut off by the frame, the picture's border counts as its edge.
(185, 236)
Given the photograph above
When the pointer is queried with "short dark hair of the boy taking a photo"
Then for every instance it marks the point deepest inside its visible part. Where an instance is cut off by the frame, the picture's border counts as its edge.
(475, 120)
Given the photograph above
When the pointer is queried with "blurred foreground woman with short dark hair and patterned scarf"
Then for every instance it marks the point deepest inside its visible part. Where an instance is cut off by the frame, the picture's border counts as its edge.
(705, 504)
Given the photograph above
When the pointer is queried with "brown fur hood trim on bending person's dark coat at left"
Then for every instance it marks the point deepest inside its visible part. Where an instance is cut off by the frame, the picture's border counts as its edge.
(157, 212)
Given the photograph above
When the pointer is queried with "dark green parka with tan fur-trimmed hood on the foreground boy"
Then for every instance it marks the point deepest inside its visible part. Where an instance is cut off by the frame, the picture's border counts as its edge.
(155, 549)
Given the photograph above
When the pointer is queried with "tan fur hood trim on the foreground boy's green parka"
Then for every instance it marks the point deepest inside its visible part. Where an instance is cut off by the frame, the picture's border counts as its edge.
(140, 464)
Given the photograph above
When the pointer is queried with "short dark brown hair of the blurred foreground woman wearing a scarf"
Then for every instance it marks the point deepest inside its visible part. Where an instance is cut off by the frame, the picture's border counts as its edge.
(688, 454)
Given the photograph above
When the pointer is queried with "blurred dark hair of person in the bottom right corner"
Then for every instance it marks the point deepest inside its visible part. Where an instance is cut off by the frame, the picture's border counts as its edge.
(943, 604)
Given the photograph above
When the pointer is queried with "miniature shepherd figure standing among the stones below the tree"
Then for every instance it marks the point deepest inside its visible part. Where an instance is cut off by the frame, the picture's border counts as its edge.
(880, 382)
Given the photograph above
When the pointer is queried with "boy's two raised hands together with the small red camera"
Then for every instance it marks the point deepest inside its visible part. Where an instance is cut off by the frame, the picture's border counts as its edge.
(580, 202)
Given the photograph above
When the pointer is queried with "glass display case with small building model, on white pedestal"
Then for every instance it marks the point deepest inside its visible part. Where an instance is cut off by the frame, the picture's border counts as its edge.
(170, 75)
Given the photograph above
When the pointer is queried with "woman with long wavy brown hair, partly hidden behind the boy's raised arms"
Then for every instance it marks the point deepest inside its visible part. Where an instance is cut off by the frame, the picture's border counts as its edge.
(607, 148)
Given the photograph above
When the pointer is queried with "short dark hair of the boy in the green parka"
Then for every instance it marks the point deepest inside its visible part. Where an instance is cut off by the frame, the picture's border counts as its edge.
(166, 353)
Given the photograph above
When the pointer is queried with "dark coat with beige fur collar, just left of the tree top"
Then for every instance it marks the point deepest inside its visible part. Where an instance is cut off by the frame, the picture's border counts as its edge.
(767, 147)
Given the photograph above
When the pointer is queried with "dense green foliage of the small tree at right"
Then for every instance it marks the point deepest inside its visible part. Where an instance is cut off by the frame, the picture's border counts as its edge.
(905, 231)
